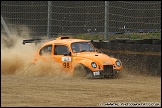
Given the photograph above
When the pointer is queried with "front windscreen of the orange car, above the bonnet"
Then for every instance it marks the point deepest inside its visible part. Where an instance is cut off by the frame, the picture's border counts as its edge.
(82, 47)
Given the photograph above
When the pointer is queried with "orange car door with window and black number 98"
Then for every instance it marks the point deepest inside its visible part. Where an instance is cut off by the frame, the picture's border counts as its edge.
(62, 56)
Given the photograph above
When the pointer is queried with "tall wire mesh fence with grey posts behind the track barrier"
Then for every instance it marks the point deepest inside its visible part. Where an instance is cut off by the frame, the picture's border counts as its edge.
(43, 18)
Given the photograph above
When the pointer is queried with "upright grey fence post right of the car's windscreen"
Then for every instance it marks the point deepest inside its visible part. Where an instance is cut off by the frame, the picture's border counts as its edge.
(106, 29)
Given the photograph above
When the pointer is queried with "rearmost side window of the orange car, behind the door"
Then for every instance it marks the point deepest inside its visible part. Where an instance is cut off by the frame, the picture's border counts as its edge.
(46, 50)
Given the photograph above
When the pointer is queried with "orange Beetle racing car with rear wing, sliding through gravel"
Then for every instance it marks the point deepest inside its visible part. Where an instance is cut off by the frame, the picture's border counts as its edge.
(78, 57)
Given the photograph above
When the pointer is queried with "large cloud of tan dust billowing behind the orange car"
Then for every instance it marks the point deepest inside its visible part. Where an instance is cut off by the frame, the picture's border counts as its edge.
(16, 58)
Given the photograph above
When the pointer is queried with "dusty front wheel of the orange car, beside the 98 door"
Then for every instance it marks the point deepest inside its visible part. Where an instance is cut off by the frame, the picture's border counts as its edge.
(82, 72)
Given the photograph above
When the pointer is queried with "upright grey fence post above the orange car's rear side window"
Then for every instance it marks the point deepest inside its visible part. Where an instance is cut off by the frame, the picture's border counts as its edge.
(49, 19)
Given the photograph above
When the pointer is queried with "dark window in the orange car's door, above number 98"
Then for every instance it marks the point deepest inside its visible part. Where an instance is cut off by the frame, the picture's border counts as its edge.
(61, 50)
